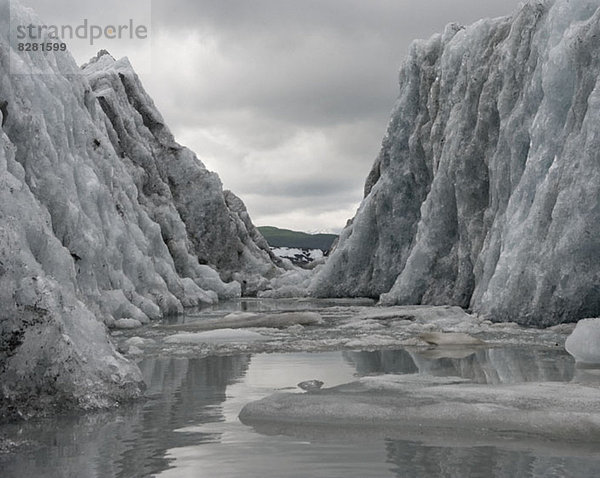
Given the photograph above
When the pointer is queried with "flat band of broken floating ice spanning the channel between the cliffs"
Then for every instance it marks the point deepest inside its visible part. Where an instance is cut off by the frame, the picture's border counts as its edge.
(317, 325)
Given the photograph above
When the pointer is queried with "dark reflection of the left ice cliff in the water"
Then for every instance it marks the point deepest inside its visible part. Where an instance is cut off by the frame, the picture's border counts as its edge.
(133, 441)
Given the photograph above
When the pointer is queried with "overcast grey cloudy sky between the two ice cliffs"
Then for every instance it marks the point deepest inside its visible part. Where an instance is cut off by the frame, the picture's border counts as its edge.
(287, 101)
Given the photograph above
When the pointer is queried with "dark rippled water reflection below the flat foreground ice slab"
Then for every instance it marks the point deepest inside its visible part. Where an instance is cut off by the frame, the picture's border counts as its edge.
(448, 454)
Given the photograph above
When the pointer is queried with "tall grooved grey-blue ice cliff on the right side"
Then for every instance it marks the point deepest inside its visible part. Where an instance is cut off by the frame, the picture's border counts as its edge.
(486, 192)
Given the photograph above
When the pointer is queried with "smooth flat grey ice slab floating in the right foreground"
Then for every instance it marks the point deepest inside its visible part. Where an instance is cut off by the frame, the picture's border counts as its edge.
(424, 405)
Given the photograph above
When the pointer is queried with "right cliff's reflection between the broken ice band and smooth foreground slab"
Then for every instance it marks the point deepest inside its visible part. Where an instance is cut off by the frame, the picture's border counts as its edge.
(481, 365)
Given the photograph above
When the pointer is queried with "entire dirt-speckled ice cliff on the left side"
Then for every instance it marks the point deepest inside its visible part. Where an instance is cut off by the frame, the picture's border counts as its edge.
(103, 216)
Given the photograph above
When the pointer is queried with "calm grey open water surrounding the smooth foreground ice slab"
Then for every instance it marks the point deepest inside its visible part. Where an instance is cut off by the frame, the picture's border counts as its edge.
(189, 421)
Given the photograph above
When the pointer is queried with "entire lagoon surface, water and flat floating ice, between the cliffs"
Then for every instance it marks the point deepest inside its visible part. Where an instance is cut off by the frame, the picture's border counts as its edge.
(374, 361)
